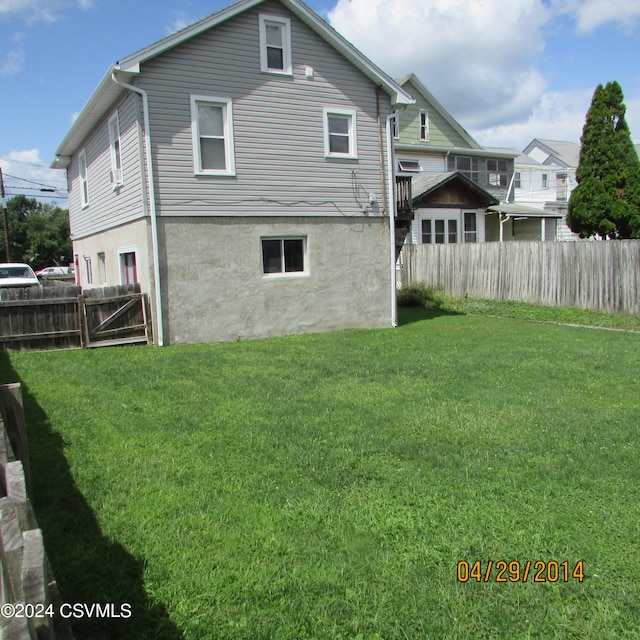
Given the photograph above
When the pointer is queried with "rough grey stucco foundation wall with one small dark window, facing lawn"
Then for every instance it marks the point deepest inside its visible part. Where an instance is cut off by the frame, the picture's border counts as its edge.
(214, 289)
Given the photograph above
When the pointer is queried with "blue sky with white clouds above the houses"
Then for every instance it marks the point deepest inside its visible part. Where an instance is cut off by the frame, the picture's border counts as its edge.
(508, 70)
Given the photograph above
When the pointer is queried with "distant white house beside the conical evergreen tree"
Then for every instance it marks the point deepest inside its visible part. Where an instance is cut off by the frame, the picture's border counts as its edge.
(545, 178)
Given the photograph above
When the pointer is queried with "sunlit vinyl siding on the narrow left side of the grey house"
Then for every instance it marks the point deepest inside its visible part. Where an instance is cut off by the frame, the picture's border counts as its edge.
(107, 207)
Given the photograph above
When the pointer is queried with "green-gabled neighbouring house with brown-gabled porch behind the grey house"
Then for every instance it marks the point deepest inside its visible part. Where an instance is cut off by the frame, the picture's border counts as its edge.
(451, 179)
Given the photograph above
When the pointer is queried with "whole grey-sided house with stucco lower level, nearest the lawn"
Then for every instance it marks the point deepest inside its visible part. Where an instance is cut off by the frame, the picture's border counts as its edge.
(239, 171)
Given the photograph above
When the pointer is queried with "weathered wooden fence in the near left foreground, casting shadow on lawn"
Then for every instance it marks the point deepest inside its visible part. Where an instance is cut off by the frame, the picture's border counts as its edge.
(28, 591)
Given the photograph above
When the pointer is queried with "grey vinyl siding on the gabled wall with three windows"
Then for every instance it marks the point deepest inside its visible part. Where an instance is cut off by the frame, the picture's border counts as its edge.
(278, 125)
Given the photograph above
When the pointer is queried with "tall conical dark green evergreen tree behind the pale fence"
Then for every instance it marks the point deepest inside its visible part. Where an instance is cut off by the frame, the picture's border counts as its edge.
(606, 201)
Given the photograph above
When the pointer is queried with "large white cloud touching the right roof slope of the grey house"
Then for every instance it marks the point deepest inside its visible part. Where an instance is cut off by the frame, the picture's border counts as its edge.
(478, 58)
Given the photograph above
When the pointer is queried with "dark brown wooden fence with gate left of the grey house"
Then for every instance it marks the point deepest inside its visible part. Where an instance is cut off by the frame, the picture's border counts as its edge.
(64, 317)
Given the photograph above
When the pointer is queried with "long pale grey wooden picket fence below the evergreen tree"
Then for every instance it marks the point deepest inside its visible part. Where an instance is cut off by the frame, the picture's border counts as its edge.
(602, 276)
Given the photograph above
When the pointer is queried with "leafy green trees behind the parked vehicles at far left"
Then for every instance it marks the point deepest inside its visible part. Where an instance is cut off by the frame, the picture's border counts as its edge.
(38, 233)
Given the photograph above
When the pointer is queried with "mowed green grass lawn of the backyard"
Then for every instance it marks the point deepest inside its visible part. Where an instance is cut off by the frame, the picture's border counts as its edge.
(327, 486)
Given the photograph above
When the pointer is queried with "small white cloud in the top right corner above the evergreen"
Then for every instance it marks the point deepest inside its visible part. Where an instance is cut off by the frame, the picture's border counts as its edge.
(591, 14)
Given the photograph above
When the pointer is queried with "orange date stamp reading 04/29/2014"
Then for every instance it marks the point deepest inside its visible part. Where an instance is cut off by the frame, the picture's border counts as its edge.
(516, 571)
